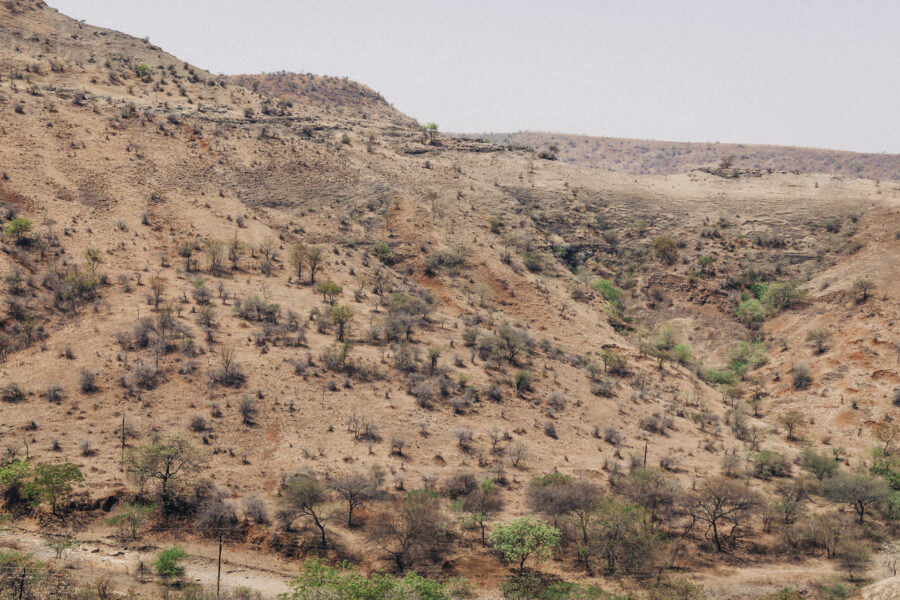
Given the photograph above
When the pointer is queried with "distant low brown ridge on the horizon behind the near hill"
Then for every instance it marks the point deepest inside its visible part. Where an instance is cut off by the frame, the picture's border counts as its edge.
(660, 157)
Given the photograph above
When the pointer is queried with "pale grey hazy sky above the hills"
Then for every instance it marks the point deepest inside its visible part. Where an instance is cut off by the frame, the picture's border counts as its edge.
(822, 73)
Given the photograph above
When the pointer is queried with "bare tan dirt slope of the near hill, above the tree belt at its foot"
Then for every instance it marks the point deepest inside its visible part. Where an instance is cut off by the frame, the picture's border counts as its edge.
(110, 143)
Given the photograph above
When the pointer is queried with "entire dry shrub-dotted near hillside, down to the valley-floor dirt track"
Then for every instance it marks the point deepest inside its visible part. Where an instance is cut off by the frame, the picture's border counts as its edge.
(487, 315)
